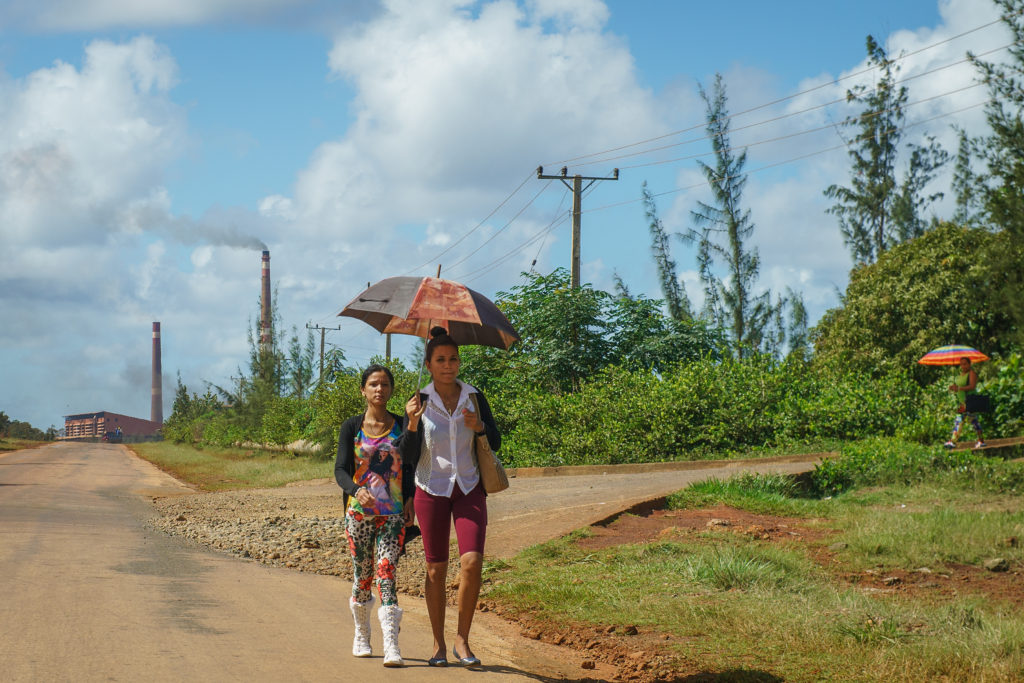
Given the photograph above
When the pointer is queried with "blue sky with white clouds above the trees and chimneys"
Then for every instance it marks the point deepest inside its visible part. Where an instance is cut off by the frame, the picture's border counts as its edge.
(149, 151)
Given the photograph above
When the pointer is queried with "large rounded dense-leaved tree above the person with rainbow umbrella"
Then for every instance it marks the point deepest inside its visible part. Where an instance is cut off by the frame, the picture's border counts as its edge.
(940, 289)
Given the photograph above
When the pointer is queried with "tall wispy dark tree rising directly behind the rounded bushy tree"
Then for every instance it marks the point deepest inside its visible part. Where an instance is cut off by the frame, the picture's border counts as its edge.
(877, 211)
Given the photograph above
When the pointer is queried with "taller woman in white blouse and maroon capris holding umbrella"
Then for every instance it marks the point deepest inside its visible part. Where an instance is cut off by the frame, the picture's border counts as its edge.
(441, 428)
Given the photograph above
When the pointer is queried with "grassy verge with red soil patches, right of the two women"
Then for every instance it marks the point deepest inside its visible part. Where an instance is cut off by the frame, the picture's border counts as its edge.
(735, 603)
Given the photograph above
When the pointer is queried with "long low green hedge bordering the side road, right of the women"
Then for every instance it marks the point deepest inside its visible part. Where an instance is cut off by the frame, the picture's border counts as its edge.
(698, 410)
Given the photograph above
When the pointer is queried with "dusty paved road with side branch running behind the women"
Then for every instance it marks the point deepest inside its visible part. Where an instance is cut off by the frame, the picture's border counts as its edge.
(89, 592)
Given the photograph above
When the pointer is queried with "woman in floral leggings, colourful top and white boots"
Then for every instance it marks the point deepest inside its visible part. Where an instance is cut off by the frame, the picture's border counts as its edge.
(378, 508)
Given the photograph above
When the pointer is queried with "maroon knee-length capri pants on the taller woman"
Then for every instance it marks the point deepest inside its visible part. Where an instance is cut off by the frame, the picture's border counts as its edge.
(436, 515)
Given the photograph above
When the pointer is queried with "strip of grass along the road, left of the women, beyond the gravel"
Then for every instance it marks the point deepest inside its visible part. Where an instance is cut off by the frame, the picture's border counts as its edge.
(223, 469)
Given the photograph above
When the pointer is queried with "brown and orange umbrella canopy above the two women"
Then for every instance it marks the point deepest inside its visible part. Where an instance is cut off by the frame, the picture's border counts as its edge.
(414, 306)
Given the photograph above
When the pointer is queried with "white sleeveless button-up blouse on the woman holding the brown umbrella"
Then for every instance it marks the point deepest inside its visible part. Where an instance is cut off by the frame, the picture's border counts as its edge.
(448, 446)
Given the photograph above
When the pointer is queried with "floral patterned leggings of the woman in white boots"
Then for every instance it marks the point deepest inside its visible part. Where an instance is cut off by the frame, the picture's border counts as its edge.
(383, 534)
